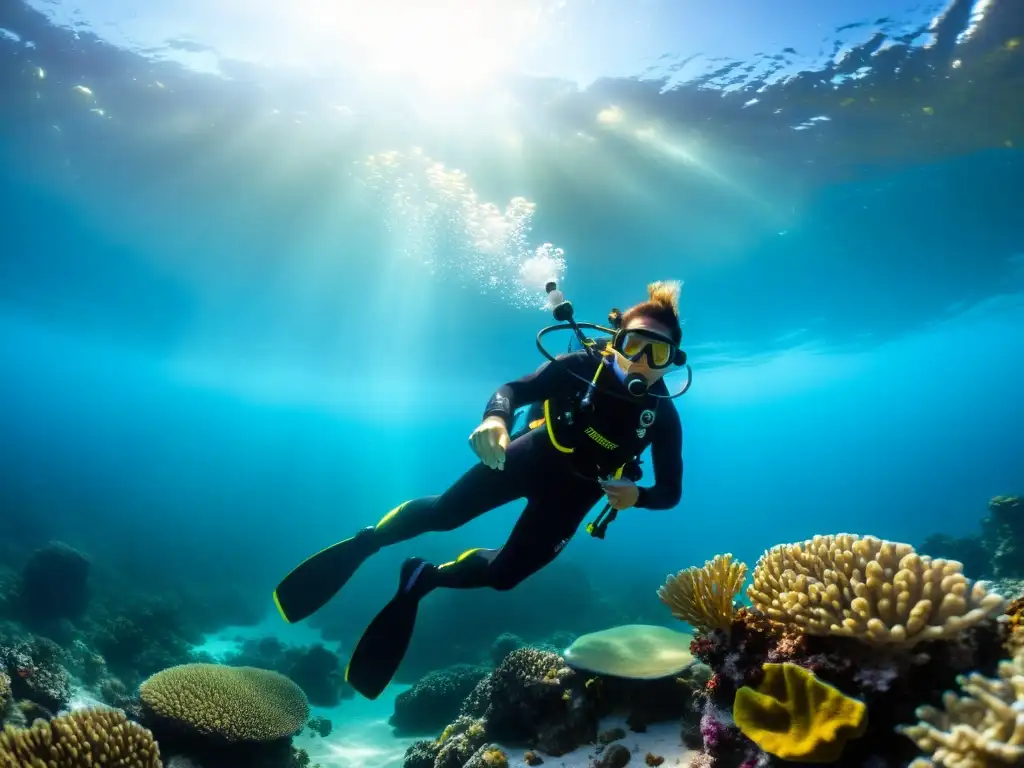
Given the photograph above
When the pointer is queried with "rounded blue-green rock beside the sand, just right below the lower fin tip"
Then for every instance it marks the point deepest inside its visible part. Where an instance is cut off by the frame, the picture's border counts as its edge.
(436, 701)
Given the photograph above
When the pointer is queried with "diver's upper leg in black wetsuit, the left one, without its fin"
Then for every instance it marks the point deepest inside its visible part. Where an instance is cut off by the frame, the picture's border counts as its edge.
(480, 490)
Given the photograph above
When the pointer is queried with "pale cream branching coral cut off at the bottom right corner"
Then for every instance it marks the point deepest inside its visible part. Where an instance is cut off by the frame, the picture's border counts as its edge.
(982, 730)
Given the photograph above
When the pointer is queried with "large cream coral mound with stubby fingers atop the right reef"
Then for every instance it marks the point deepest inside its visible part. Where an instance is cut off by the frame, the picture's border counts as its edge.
(880, 592)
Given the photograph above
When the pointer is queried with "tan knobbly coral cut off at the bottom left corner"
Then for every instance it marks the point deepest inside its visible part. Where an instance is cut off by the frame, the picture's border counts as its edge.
(96, 738)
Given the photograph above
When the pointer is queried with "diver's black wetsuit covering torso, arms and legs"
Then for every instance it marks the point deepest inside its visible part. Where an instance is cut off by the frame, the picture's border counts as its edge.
(554, 466)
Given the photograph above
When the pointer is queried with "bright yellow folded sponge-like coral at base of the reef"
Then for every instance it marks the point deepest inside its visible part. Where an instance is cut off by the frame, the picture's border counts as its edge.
(795, 716)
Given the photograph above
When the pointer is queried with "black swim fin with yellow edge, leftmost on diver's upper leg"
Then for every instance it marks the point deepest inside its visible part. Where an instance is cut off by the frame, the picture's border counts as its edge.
(318, 579)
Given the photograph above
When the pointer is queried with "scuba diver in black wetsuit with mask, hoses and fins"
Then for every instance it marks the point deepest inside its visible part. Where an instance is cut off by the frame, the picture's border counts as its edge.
(596, 409)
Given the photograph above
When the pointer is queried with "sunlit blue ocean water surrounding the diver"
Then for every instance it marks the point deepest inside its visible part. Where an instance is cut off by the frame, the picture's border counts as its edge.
(262, 267)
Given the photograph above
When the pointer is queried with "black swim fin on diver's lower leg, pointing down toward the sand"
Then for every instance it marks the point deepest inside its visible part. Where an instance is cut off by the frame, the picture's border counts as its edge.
(383, 646)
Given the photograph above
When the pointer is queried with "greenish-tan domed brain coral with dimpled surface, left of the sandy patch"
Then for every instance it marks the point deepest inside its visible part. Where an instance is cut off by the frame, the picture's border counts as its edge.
(235, 704)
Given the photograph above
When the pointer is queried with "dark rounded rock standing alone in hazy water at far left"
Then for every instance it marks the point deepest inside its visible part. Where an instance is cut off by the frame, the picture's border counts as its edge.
(54, 585)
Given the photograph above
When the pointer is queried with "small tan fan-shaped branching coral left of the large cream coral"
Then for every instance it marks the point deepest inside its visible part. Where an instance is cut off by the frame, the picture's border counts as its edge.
(704, 596)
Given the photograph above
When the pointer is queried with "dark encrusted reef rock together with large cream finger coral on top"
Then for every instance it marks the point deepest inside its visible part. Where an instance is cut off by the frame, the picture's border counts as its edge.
(874, 620)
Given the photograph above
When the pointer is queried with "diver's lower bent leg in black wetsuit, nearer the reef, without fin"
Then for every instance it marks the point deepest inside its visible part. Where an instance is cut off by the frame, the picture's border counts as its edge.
(544, 529)
